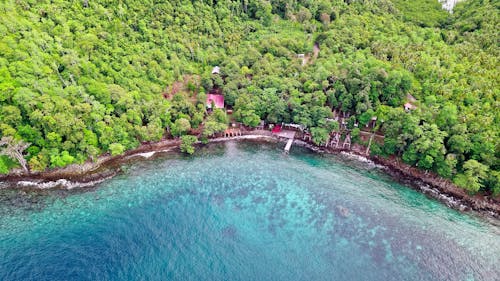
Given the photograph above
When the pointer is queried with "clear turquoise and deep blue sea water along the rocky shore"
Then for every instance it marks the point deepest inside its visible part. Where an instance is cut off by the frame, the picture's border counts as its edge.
(242, 211)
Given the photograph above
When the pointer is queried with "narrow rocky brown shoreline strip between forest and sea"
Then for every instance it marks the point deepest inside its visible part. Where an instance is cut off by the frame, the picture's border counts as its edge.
(91, 173)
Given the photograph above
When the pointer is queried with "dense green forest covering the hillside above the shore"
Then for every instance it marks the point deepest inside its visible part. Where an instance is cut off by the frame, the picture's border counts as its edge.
(83, 78)
